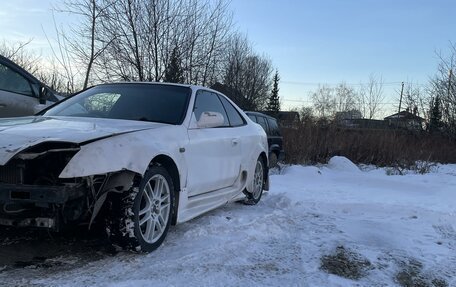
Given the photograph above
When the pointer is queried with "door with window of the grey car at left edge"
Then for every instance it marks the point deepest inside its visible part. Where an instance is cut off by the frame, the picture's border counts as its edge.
(17, 97)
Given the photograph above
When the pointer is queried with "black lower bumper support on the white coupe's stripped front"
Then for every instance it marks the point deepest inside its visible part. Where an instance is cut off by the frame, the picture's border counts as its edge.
(35, 206)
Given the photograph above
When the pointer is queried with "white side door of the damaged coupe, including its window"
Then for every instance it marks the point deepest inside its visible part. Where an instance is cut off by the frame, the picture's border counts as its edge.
(213, 154)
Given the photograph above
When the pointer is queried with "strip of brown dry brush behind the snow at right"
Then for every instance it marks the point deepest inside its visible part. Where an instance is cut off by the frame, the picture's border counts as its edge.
(313, 142)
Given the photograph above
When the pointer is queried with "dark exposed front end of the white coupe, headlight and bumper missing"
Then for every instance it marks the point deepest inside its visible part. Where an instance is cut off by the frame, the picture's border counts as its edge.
(33, 195)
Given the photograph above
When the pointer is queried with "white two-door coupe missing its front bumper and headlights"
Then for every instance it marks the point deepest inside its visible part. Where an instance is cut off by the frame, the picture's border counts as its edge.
(138, 157)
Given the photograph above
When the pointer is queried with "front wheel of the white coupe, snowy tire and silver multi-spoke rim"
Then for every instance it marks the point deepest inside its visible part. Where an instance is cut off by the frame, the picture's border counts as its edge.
(145, 212)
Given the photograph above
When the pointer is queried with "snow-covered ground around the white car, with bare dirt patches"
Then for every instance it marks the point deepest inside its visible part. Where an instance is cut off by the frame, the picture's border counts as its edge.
(403, 226)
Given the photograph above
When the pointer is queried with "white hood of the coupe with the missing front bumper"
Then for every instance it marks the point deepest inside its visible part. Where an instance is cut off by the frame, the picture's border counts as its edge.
(17, 134)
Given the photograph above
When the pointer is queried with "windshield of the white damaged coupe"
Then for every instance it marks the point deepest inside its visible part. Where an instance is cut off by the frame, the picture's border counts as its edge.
(140, 102)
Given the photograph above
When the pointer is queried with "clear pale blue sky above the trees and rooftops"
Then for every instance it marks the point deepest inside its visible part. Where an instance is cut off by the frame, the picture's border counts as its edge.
(309, 42)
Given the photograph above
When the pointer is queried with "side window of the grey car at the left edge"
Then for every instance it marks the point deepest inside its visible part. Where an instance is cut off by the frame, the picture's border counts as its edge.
(13, 82)
